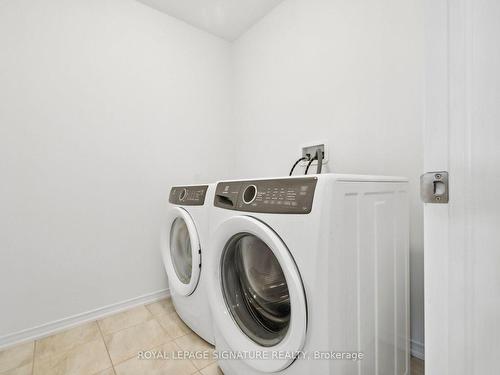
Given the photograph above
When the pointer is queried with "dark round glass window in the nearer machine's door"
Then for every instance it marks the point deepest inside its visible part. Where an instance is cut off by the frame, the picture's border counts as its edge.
(255, 289)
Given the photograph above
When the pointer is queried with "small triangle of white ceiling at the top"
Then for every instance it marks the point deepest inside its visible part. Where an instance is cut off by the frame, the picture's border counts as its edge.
(227, 19)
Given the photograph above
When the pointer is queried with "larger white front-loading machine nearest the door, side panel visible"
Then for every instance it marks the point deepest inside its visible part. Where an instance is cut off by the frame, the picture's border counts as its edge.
(303, 270)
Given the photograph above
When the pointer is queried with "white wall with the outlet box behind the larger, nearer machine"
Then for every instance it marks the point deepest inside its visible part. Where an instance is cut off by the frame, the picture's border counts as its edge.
(347, 71)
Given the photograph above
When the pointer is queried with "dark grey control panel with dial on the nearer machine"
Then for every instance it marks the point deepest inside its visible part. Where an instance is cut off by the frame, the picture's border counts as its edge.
(279, 196)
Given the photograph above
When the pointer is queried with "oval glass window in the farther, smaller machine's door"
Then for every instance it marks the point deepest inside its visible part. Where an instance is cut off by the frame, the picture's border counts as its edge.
(180, 250)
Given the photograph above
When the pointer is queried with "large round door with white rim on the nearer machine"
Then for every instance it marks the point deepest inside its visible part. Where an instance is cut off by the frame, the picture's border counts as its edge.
(258, 297)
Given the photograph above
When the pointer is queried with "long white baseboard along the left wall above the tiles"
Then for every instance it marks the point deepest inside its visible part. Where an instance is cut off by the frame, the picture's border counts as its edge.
(48, 329)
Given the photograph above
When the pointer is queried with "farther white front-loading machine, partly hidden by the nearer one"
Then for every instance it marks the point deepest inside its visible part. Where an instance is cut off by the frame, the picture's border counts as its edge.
(184, 251)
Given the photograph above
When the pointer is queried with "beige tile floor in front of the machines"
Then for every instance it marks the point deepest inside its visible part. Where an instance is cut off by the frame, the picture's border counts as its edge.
(110, 346)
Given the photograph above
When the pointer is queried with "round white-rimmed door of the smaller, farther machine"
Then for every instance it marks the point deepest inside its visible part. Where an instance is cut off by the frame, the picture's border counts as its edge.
(181, 251)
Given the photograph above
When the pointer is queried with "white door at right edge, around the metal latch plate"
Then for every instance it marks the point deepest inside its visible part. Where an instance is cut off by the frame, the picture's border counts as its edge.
(462, 238)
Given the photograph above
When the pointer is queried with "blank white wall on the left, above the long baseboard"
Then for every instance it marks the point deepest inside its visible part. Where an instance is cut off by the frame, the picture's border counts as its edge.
(103, 105)
